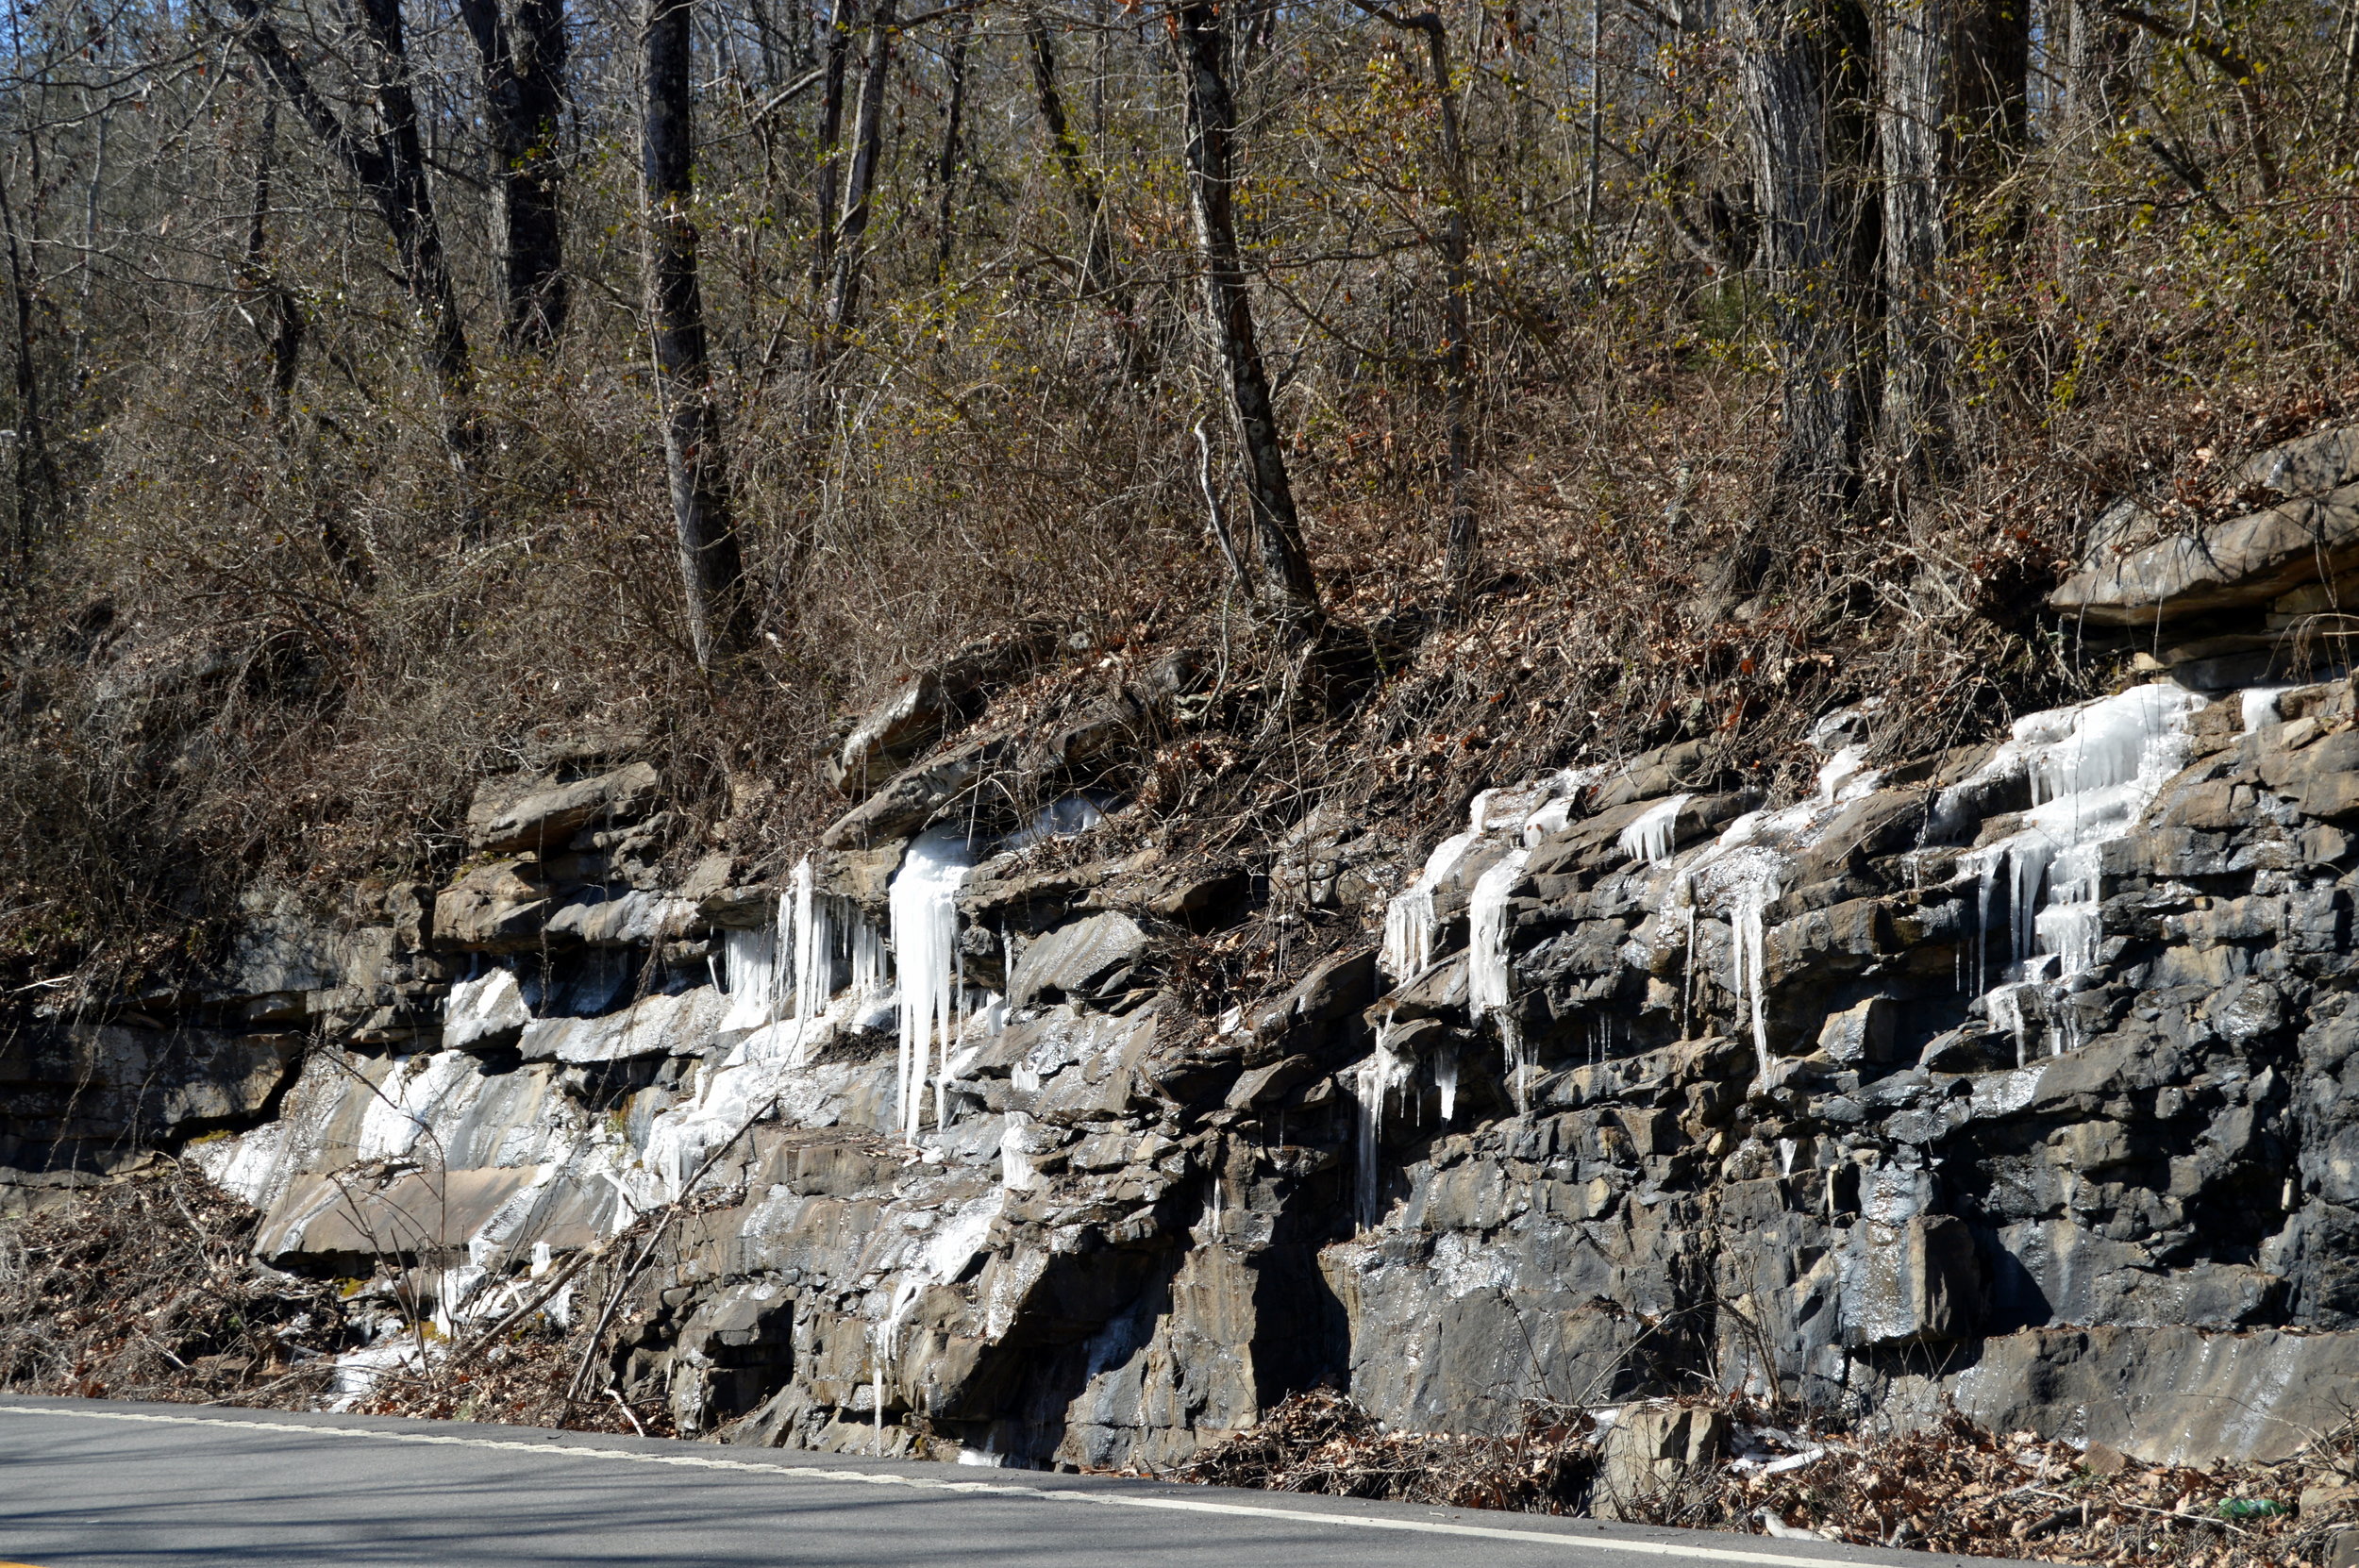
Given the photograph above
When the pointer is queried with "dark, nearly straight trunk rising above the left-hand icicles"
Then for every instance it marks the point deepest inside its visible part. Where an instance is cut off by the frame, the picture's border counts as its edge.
(714, 574)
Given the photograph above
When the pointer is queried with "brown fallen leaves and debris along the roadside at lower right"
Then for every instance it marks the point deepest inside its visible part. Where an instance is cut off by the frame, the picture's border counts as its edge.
(1950, 1489)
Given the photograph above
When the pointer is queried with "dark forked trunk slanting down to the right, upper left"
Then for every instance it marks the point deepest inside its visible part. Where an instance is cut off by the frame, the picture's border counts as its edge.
(390, 166)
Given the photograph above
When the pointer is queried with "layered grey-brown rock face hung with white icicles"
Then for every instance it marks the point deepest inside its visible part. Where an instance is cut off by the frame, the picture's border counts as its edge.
(2020, 1079)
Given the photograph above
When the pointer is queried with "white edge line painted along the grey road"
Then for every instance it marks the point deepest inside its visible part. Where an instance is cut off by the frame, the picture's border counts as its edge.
(1004, 1489)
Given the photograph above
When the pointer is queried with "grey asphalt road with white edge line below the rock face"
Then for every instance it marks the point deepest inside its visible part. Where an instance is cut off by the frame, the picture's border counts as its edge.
(100, 1484)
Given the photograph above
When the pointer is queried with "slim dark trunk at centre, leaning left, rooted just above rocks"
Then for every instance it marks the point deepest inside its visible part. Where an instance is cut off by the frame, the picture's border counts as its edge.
(1289, 593)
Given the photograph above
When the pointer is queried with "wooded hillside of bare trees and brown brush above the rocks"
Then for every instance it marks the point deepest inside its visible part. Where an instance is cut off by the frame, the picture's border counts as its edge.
(1480, 388)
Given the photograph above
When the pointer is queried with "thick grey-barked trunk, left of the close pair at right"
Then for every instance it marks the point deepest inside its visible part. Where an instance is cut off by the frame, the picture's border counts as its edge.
(1799, 62)
